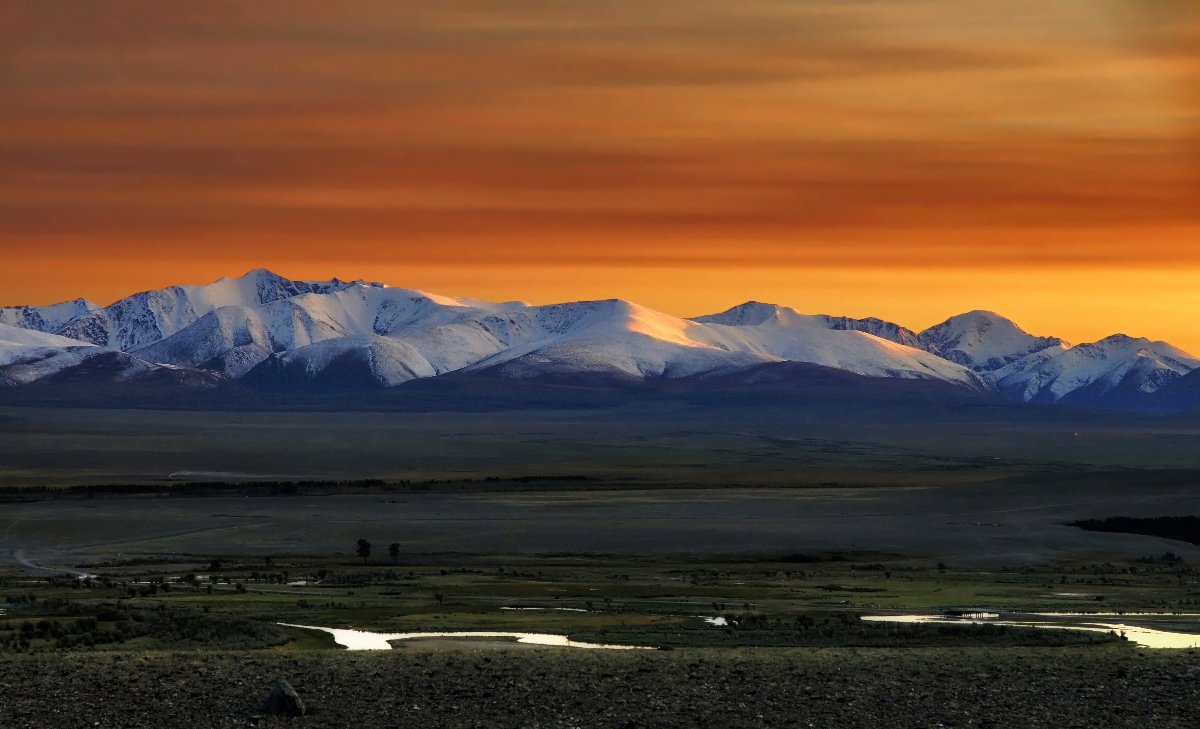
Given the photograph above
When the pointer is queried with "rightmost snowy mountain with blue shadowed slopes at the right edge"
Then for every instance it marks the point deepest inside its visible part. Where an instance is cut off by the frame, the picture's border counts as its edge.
(1088, 373)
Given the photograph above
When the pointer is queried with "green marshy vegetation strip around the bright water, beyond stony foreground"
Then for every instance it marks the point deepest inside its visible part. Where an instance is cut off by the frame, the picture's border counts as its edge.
(815, 600)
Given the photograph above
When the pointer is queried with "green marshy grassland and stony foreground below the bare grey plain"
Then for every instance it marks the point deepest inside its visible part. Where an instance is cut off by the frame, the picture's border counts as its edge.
(805, 661)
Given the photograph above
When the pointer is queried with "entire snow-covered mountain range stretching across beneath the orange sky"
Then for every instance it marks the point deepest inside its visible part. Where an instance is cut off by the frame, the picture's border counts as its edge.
(272, 334)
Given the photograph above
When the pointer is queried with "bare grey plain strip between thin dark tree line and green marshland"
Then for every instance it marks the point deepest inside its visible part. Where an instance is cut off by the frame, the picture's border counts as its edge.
(1010, 522)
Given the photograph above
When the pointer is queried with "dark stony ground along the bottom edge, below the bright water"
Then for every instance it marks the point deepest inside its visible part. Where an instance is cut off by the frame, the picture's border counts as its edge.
(963, 688)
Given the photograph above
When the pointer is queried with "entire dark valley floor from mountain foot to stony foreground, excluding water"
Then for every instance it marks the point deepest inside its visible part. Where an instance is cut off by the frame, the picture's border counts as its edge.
(629, 533)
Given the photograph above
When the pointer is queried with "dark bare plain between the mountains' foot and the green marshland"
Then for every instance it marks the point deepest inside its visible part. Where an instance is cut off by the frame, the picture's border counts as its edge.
(635, 479)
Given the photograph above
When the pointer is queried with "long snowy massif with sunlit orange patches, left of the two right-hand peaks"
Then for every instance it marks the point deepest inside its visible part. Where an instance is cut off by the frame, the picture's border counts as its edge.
(302, 329)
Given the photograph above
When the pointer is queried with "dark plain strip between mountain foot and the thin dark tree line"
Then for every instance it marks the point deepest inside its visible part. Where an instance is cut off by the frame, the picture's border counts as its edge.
(659, 444)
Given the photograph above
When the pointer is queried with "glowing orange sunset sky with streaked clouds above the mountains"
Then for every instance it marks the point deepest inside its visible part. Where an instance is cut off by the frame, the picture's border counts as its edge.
(902, 159)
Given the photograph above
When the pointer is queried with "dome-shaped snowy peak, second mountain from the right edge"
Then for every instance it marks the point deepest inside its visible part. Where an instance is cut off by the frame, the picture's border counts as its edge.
(983, 341)
